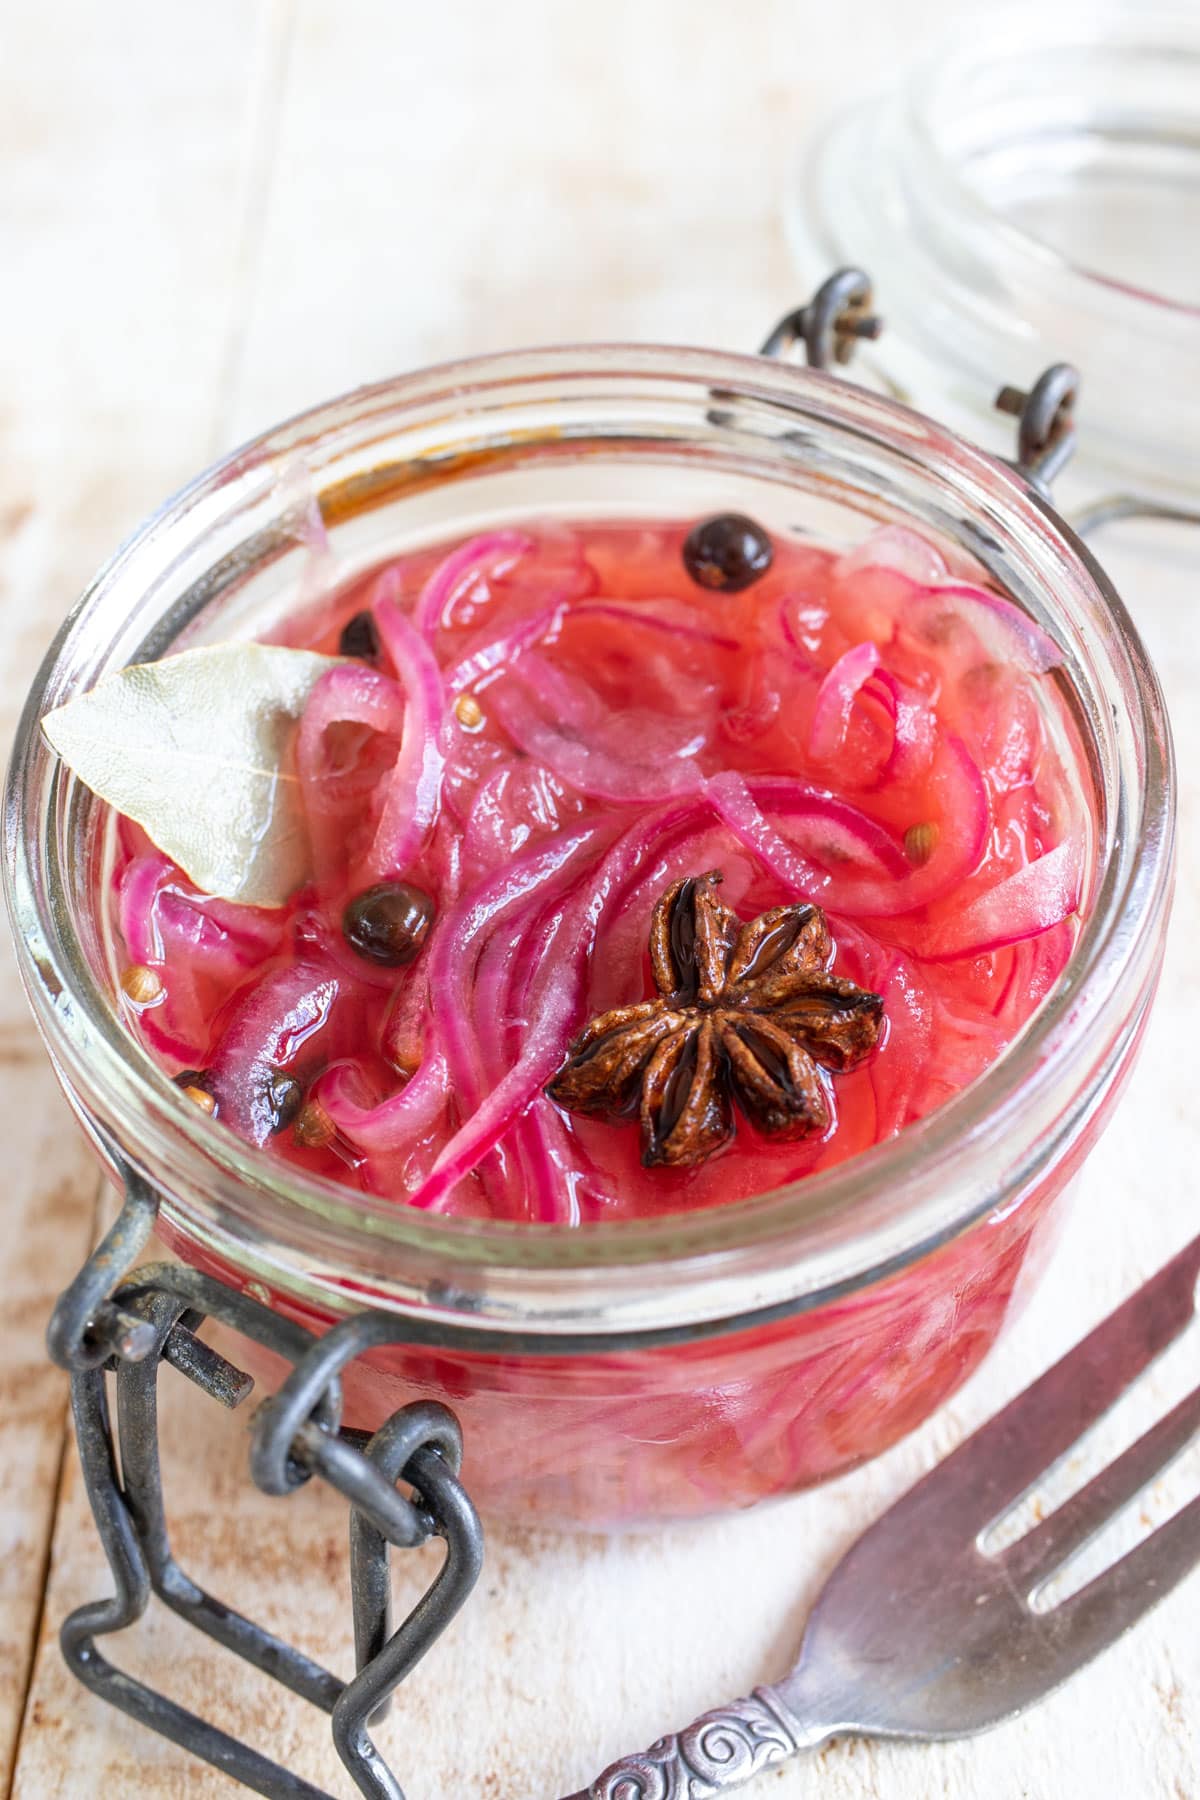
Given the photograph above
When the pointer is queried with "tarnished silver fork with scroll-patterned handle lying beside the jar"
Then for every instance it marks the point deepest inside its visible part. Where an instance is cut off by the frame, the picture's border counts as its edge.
(920, 1633)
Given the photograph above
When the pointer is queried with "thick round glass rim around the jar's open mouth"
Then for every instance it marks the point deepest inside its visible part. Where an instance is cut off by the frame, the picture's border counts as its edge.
(784, 1250)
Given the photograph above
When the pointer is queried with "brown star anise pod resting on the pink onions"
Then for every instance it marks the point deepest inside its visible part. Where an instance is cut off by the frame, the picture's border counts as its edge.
(744, 1014)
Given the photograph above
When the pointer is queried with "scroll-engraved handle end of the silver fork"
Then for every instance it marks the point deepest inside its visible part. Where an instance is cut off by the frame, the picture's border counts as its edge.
(722, 1750)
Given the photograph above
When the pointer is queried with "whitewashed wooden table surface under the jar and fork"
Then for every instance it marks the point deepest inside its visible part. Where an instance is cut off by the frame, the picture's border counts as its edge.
(211, 217)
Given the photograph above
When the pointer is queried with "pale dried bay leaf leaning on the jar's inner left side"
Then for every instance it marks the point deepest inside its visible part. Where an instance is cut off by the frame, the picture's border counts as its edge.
(197, 750)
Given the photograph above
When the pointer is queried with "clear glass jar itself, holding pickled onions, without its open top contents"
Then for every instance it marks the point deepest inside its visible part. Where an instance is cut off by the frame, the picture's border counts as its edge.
(620, 1374)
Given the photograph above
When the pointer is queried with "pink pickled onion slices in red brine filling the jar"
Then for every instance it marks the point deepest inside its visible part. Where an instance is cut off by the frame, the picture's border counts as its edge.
(528, 741)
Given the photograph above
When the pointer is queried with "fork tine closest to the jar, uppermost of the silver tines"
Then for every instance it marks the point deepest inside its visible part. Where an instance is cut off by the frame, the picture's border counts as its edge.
(1012, 1452)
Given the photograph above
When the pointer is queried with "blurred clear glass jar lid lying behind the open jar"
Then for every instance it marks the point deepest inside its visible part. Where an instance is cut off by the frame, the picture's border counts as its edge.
(1025, 195)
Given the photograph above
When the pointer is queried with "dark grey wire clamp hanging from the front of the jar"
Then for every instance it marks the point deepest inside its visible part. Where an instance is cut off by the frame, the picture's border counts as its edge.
(130, 1329)
